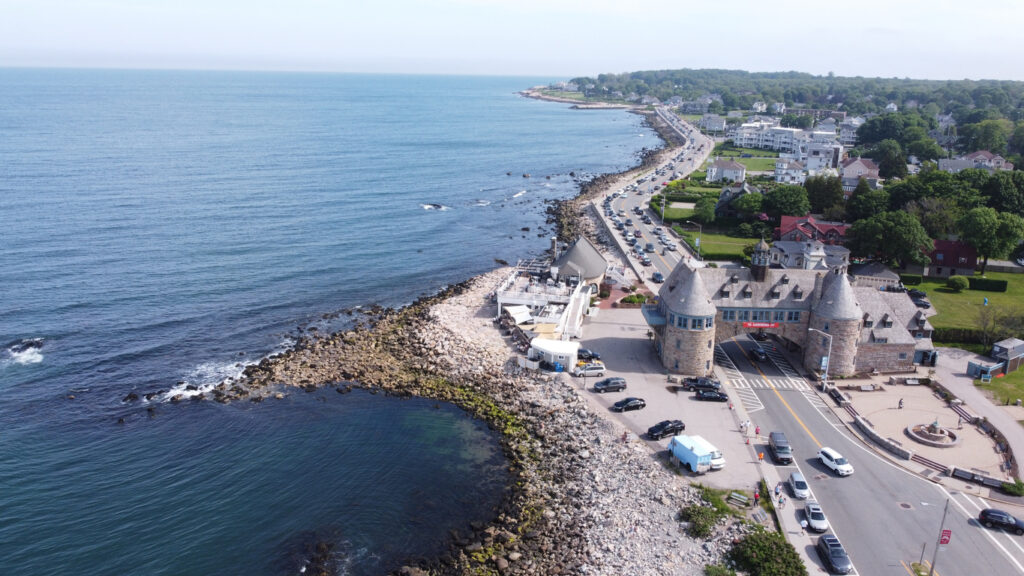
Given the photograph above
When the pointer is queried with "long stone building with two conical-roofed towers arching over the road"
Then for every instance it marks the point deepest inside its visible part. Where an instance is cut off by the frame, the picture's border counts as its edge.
(869, 331)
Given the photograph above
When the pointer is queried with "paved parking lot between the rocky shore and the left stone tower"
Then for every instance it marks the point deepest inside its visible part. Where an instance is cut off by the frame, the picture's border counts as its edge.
(621, 337)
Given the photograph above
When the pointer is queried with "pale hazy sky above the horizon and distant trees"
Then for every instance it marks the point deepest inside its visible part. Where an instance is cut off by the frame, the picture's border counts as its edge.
(940, 39)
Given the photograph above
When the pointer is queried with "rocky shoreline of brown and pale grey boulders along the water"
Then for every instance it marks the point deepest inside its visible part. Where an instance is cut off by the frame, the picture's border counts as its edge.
(583, 502)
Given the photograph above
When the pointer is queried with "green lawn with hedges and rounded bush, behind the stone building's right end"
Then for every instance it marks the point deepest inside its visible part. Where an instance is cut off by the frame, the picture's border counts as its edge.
(961, 311)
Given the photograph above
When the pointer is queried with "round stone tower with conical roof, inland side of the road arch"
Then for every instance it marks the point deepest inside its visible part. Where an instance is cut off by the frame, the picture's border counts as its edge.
(838, 314)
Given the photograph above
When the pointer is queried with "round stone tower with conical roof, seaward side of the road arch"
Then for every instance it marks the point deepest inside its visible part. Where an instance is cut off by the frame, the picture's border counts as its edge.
(689, 342)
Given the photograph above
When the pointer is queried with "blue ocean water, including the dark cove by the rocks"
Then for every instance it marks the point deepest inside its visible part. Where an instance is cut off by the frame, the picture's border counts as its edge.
(164, 229)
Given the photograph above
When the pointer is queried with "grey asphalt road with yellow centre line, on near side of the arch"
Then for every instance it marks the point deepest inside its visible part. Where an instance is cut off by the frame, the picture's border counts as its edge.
(882, 514)
